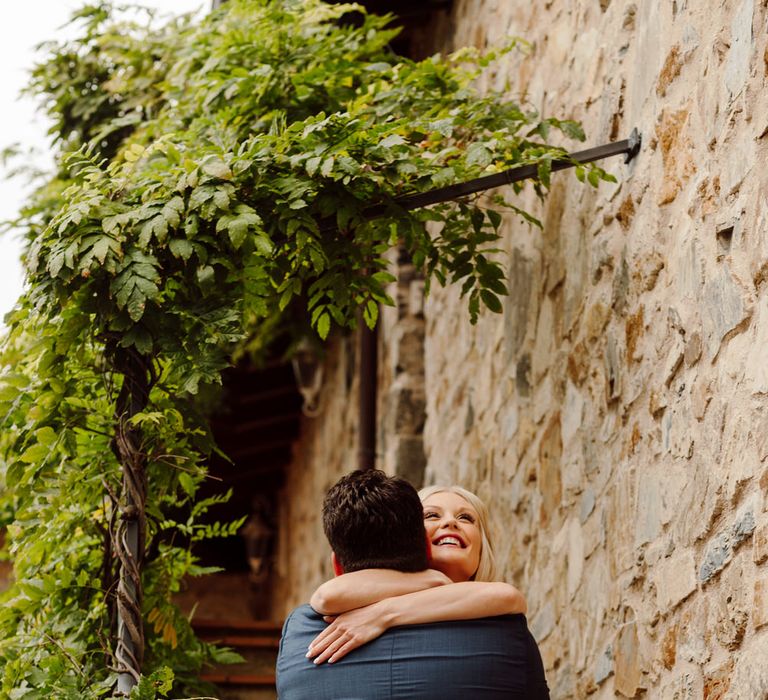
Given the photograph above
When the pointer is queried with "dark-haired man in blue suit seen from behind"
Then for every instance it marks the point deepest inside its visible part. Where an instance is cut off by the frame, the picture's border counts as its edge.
(373, 521)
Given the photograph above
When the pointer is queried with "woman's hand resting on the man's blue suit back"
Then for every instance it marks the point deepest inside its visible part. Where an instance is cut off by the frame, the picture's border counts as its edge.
(347, 632)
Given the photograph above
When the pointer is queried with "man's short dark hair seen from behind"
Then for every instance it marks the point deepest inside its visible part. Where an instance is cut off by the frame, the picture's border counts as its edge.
(375, 521)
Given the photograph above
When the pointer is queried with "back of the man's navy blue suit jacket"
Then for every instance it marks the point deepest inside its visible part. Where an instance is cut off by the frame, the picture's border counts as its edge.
(487, 659)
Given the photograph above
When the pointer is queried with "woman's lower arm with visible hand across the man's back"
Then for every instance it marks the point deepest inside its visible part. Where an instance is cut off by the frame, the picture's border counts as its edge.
(458, 601)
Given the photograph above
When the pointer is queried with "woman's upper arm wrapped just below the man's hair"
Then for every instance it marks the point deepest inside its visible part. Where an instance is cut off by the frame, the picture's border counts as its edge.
(360, 588)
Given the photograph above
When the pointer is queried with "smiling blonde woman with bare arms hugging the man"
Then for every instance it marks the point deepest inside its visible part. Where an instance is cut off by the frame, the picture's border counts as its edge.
(361, 605)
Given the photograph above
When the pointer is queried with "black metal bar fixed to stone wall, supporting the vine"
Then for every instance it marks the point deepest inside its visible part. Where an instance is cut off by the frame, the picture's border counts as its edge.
(629, 147)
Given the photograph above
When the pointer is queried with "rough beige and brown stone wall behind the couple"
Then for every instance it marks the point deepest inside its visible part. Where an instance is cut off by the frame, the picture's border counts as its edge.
(615, 417)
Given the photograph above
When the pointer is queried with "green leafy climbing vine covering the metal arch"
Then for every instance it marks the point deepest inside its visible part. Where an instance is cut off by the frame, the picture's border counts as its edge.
(215, 189)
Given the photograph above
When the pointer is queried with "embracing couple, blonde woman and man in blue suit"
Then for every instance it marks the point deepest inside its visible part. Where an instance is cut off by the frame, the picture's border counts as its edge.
(404, 618)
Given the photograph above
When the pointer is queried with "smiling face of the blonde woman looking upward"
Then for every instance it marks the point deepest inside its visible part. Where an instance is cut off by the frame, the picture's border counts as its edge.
(454, 535)
